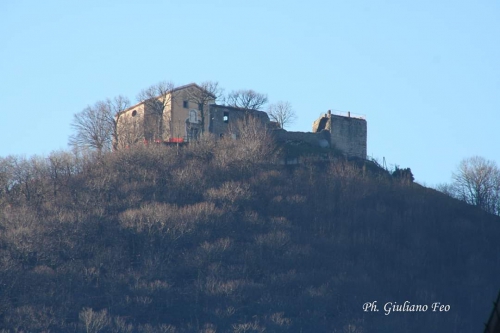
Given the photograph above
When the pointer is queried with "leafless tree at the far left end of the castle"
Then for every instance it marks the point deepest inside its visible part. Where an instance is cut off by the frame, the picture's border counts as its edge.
(93, 128)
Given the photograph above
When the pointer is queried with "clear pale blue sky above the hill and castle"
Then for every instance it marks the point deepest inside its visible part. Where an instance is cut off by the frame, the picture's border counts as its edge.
(425, 74)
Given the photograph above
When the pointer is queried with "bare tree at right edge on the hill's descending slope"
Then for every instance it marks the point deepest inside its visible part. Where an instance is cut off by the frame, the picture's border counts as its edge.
(477, 182)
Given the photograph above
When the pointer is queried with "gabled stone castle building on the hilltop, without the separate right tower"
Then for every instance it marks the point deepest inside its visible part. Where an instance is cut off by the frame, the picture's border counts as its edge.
(180, 115)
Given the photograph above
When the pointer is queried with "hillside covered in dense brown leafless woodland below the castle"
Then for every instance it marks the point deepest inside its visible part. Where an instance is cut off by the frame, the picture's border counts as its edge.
(221, 238)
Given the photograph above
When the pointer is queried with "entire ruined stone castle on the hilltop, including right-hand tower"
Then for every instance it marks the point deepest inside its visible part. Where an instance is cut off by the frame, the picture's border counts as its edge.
(183, 113)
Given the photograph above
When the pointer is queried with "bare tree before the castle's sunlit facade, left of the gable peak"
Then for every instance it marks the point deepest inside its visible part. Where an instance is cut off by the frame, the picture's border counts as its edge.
(157, 98)
